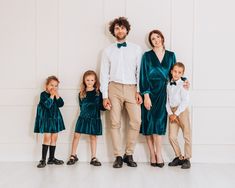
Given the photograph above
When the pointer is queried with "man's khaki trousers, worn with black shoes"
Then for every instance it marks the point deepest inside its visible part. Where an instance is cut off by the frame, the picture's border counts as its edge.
(123, 96)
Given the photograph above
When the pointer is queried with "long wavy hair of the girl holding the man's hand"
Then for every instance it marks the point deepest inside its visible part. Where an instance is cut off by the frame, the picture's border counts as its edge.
(82, 92)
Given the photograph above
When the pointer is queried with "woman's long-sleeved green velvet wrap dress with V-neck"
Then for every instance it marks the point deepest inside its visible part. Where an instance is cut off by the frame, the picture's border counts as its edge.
(154, 76)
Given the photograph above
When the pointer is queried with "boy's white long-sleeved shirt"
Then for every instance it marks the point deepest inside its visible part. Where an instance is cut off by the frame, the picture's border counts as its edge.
(177, 96)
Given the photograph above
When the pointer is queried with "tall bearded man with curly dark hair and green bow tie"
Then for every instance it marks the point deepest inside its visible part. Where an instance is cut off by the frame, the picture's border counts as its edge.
(119, 78)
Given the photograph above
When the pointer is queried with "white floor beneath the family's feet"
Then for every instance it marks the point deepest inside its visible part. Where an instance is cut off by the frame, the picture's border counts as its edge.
(83, 175)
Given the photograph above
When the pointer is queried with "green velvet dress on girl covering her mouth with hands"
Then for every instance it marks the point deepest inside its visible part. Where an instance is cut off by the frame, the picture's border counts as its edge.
(49, 118)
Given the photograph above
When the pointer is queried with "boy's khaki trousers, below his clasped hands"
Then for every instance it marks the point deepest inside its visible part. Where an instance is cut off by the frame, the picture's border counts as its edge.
(184, 124)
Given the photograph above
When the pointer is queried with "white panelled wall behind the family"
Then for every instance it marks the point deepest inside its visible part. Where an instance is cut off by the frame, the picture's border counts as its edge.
(39, 38)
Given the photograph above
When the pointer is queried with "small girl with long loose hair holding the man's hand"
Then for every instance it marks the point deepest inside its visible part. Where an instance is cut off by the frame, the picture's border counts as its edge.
(89, 122)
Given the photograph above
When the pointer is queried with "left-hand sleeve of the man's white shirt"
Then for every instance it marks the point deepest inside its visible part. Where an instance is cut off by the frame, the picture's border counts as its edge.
(104, 74)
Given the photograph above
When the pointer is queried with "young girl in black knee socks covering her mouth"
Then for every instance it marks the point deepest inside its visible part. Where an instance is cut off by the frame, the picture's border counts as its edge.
(49, 120)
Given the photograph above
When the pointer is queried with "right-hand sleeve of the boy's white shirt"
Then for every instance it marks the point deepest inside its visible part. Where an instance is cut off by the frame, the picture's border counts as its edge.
(184, 101)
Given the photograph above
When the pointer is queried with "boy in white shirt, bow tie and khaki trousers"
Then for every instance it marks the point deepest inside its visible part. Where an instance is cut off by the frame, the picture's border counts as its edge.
(177, 109)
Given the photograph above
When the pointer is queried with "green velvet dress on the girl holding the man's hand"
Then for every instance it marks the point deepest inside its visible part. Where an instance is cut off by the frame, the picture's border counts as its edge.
(89, 121)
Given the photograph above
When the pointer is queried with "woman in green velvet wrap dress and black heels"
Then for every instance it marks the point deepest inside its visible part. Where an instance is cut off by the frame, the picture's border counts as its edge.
(154, 75)
